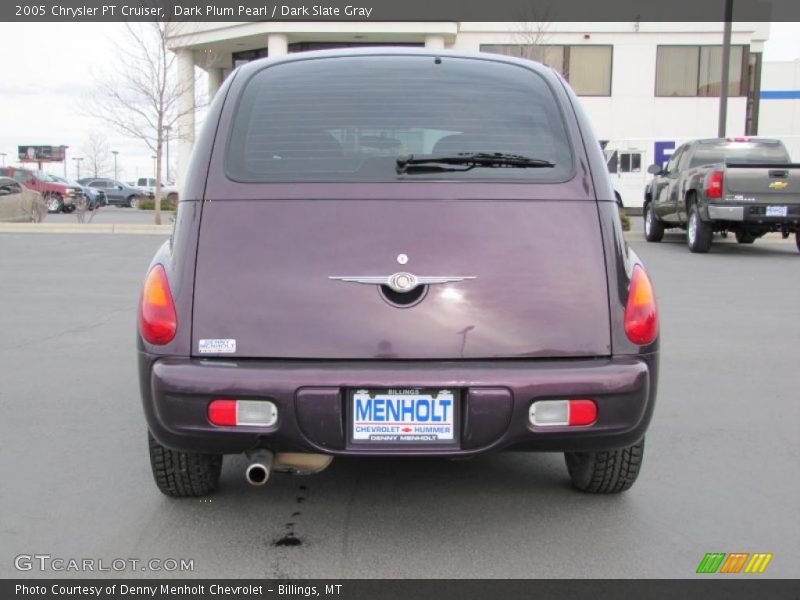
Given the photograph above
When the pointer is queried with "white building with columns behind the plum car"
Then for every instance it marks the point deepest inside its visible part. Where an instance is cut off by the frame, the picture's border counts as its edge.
(645, 86)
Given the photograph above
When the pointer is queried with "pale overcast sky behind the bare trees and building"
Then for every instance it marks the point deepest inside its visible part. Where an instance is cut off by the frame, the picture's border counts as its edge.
(50, 69)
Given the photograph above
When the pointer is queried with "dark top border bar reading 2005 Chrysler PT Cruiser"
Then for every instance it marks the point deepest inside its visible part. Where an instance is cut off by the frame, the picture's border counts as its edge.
(520, 11)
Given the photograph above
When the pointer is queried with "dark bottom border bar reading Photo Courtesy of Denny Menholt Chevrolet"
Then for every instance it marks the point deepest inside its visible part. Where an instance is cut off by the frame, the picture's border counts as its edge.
(711, 587)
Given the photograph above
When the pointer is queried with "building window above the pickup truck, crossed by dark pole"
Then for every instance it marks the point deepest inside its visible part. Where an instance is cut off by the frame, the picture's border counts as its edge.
(683, 71)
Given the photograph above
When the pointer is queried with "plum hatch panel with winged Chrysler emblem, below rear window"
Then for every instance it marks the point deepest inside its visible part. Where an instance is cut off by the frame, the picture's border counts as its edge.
(264, 271)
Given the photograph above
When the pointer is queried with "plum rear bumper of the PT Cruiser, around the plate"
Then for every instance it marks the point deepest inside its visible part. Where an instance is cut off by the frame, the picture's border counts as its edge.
(495, 397)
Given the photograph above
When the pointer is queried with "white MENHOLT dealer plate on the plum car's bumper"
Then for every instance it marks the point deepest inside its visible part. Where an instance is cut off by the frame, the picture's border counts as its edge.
(403, 416)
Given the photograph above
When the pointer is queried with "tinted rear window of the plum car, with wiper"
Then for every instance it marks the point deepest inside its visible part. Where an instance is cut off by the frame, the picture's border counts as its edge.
(350, 118)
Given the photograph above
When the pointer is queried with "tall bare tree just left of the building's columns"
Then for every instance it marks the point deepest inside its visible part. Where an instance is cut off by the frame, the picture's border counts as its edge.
(141, 99)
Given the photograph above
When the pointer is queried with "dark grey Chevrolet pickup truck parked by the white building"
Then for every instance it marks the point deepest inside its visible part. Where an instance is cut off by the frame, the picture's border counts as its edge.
(741, 185)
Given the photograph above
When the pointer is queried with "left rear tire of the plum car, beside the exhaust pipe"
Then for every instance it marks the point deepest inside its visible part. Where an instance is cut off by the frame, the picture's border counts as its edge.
(183, 474)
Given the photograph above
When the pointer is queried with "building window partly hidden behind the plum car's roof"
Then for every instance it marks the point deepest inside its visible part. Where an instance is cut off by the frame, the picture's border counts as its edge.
(586, 68)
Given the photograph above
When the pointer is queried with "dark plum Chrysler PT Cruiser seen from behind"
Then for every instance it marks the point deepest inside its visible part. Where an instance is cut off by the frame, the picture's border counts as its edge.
(395, 252)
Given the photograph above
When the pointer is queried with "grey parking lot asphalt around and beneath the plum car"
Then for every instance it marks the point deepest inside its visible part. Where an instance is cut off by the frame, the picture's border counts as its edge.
(720, 466)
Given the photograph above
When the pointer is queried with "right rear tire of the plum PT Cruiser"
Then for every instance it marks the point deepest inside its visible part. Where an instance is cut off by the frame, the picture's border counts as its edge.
(607, 472)
